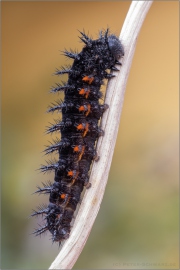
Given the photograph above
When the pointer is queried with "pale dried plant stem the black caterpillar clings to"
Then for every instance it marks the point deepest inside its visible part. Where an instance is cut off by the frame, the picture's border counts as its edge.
(110, 123)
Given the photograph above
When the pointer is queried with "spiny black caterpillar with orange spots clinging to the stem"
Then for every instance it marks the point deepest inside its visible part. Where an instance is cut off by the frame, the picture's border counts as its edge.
(79, 129)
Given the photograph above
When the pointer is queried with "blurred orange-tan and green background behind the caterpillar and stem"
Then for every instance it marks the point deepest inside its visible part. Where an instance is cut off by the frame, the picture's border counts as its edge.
(137, 225)
